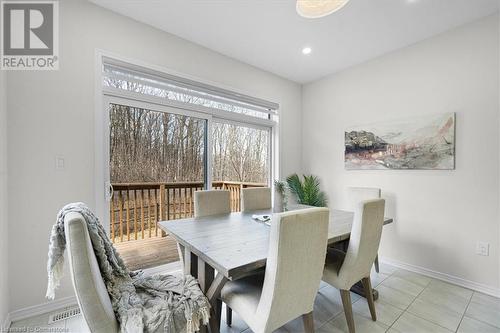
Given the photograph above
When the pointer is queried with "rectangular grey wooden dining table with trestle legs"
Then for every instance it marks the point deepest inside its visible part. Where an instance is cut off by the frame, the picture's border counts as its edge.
(219, 248)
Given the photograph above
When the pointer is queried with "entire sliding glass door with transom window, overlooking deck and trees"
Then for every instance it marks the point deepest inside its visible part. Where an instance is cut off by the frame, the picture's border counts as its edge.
(168, 137)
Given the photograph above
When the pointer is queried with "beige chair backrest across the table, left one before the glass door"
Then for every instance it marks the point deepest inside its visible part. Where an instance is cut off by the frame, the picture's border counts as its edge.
(212, 202)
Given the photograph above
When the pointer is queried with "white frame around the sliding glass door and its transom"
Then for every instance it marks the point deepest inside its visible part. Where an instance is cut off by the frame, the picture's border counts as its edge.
(106, 95)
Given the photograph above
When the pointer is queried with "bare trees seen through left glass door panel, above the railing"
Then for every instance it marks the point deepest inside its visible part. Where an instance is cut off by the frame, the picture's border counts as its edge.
(152, 146)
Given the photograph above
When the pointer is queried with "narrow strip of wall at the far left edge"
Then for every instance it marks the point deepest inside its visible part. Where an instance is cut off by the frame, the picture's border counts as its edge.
(4, 291)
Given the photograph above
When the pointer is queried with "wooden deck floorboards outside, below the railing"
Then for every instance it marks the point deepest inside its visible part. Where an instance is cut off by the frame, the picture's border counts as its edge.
(149, 252)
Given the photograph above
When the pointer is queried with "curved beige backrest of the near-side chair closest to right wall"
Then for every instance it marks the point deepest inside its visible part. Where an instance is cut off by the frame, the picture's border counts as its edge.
(364, 241)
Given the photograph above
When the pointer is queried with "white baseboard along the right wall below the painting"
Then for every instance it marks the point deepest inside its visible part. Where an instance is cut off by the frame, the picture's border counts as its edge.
(482, 288)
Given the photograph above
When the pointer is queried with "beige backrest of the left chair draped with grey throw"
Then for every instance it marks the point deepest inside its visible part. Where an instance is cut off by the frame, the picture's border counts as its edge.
(91, 292)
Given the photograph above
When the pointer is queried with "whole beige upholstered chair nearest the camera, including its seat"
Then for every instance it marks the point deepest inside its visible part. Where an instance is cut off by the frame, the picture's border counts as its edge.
(288, 287)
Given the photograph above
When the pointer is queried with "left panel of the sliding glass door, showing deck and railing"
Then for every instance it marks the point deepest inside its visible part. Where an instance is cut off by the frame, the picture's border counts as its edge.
(157, 159)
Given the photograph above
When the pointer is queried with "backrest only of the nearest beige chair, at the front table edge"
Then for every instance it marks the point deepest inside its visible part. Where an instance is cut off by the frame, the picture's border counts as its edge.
(295, 262)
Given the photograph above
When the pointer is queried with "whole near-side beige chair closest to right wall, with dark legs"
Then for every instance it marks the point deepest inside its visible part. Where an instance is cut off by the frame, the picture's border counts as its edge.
(344, 269)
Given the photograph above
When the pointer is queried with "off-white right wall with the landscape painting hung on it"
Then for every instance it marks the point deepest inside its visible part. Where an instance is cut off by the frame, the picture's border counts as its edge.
(439, 214)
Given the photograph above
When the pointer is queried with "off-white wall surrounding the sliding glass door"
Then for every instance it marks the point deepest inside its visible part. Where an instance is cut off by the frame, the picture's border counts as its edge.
(52, 113)
